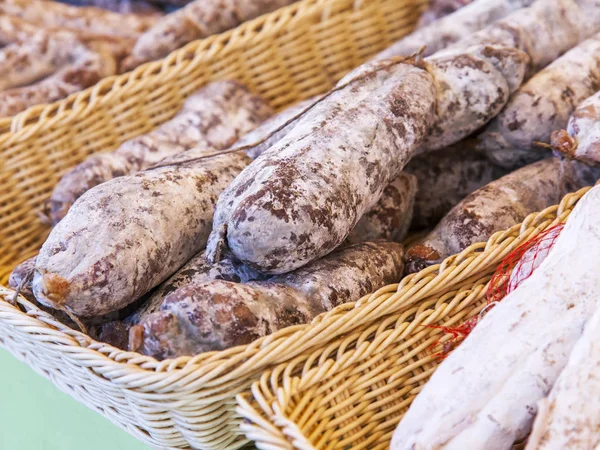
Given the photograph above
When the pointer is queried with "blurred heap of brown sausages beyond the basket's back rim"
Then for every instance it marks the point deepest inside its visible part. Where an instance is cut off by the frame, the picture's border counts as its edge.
(50, 50)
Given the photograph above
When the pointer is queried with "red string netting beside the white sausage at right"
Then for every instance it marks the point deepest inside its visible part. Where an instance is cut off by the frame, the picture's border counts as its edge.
(515, 268)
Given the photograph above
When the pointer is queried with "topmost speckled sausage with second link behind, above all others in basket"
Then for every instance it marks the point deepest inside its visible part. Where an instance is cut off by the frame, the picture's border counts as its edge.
(307, 192)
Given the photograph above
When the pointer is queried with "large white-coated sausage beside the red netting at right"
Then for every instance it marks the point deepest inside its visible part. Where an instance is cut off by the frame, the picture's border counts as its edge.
(484, 395)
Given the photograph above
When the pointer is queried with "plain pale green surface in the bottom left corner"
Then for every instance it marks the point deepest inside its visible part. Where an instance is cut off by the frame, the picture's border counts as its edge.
(35, 415)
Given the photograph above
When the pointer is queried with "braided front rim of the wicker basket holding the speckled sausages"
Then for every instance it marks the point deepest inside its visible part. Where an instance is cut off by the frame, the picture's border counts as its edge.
(220, 367)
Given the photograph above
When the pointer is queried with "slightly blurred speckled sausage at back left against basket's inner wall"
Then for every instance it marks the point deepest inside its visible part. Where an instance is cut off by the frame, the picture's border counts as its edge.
(214, 117)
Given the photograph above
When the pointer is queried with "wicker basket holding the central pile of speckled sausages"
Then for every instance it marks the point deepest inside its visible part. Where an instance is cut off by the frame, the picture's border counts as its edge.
(291, 54)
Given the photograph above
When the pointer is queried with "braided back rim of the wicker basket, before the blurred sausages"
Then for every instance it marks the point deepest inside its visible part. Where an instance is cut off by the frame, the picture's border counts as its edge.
(36, 119)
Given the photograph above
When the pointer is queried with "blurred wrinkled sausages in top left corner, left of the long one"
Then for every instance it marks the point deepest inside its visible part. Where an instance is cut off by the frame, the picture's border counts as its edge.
(49, 50)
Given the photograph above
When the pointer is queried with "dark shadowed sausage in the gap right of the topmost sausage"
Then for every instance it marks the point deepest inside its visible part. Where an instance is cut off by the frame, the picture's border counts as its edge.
(444, 178)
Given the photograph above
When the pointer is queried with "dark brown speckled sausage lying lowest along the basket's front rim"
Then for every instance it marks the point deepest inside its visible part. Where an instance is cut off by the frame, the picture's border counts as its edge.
(221, 314)
